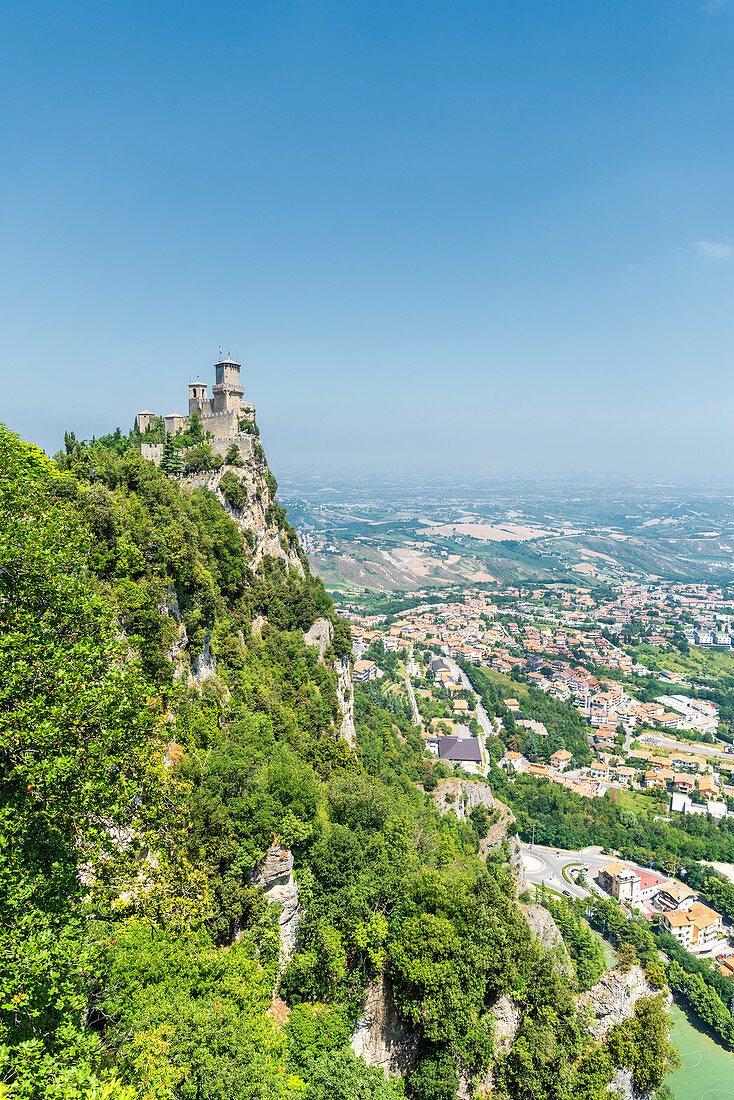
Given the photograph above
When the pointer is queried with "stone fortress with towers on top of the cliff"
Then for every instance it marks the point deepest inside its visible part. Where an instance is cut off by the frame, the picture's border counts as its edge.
(224, 416)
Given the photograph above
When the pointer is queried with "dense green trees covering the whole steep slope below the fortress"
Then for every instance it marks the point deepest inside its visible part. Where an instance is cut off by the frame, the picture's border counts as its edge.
(137, 797)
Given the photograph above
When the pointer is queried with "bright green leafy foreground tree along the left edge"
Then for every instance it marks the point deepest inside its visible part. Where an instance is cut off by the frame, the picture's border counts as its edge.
(75, 736)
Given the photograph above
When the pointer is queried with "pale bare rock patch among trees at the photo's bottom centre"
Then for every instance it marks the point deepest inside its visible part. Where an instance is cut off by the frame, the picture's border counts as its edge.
(380, 1037)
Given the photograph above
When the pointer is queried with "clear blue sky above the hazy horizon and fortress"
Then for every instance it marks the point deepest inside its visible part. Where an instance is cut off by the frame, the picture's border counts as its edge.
(492, 237)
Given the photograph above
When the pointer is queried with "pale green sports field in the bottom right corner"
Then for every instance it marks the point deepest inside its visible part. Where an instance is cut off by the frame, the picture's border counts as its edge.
(707, 1071)
